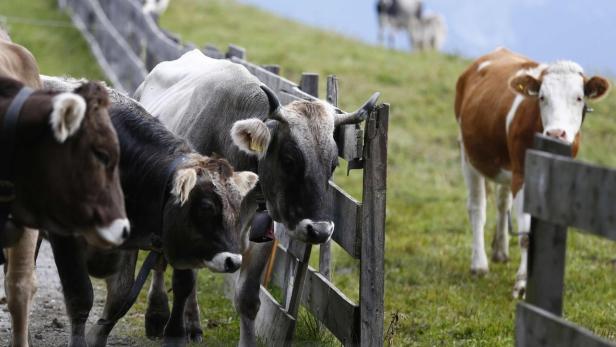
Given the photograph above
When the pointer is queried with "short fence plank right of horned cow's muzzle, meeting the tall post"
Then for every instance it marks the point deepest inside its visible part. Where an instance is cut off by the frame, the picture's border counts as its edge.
(347, 213)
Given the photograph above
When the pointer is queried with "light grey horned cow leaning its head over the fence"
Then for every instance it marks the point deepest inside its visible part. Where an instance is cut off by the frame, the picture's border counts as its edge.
(219, 107)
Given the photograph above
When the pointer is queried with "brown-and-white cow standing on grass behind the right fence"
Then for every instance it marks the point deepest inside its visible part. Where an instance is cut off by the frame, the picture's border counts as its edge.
(502, 100)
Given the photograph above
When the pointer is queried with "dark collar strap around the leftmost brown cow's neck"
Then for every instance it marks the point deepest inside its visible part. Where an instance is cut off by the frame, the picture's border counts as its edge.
(8, 134)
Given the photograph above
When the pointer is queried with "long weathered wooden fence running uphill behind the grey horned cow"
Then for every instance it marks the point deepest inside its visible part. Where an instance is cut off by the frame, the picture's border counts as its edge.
(128, 43)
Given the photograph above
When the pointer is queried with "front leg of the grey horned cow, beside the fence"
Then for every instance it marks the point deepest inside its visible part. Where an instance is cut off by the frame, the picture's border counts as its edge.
(247, 290)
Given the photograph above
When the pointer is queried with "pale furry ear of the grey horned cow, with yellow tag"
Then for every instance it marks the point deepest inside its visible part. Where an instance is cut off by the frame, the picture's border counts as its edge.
(252, 136)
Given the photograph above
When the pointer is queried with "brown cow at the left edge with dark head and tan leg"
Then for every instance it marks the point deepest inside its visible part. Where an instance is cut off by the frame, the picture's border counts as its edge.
(64, 169)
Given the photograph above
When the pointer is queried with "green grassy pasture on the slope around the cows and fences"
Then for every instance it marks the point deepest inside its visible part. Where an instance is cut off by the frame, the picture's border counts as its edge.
(430, 295)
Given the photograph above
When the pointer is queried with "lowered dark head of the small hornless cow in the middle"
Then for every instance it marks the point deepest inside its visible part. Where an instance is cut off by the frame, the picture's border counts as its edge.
(201, 220)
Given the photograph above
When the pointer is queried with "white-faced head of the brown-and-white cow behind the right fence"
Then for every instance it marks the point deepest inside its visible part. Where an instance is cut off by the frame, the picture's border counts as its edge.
(561, 89)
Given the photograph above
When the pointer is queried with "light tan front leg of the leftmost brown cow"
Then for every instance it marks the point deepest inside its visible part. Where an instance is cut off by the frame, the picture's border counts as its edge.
(20, 284)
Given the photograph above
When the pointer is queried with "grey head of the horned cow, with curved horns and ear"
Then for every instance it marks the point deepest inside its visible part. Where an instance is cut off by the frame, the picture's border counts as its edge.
(297, 156)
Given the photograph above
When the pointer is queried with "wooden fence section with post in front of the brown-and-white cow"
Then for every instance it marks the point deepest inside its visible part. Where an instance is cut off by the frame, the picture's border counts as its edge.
(559, 192)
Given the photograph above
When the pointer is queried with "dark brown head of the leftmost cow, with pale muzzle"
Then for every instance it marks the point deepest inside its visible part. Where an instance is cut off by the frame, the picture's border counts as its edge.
(66, 164)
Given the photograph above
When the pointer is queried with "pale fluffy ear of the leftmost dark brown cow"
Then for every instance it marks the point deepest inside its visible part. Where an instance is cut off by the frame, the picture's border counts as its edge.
(68, 112)
